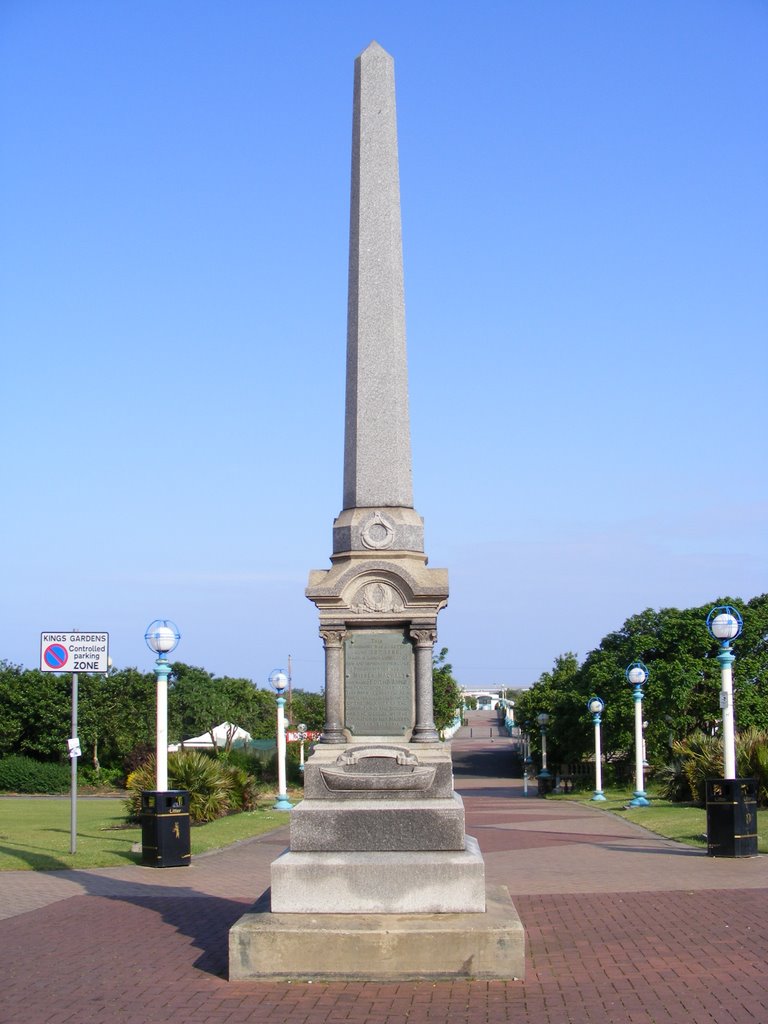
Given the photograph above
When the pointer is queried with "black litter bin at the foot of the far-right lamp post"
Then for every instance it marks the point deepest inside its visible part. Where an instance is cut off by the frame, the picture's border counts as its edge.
(732, 818)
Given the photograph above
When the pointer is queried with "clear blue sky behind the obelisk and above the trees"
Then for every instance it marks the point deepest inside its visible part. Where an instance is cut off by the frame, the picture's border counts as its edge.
(586, 245)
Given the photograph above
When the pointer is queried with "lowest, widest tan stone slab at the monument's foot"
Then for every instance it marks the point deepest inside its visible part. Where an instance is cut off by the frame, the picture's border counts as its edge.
(379, 948)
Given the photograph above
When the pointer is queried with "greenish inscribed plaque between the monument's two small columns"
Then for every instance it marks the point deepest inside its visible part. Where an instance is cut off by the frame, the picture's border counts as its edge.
(378, 685)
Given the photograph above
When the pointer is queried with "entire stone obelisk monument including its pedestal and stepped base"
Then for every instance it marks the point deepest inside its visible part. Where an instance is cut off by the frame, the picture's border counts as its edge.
(380, 880)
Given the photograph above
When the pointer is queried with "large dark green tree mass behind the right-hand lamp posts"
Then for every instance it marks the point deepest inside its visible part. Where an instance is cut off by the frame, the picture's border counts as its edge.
(680, 699)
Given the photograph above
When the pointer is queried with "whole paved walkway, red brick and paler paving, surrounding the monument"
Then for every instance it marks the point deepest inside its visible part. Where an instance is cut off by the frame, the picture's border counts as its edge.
(622, 927)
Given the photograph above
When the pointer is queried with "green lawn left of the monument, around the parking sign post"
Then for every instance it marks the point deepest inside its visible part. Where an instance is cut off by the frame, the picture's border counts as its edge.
(35, 833)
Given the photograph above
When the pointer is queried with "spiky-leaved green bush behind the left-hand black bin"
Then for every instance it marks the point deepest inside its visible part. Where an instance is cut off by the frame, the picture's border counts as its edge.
(216, 788)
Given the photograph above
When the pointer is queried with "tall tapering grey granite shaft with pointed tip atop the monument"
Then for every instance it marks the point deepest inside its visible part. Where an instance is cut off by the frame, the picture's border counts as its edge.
(377, 438)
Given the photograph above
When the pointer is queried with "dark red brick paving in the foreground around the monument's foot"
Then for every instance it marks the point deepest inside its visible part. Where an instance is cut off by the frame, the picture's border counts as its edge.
(631, 958)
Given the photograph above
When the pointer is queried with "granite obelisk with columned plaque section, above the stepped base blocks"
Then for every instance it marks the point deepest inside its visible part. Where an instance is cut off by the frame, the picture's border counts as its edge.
(379, 576)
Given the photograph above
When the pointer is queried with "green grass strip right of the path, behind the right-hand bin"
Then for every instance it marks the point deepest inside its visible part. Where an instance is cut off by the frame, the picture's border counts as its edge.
(682, 823)
